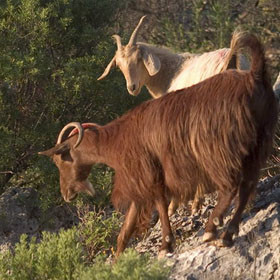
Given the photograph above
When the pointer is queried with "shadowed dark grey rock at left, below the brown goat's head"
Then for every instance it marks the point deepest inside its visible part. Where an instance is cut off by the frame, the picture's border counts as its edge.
(20, 214)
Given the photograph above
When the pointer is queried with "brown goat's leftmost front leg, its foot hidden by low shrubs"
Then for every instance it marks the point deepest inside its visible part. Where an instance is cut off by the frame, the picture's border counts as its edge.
(127, 229)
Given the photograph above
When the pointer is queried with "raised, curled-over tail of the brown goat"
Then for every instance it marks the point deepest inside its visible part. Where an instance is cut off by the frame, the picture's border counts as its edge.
(244, 40)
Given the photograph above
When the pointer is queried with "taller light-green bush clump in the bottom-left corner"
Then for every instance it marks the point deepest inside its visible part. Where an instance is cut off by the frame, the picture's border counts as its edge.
(55, 257)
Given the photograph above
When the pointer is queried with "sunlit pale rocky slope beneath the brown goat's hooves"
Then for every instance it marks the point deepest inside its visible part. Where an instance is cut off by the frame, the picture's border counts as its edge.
(254, 255)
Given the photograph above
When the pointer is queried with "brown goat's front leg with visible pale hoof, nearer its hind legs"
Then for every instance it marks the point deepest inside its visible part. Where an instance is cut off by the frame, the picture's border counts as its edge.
(167, 236)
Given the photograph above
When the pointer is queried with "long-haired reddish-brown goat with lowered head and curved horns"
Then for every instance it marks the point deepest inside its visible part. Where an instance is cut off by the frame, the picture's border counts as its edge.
(217, 133)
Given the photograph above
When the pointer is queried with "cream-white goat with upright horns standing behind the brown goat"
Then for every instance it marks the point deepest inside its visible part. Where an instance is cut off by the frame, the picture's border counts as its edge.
(163, 71)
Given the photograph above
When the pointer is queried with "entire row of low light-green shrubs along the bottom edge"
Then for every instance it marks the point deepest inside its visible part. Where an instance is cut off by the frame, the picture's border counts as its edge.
(58, 257)
